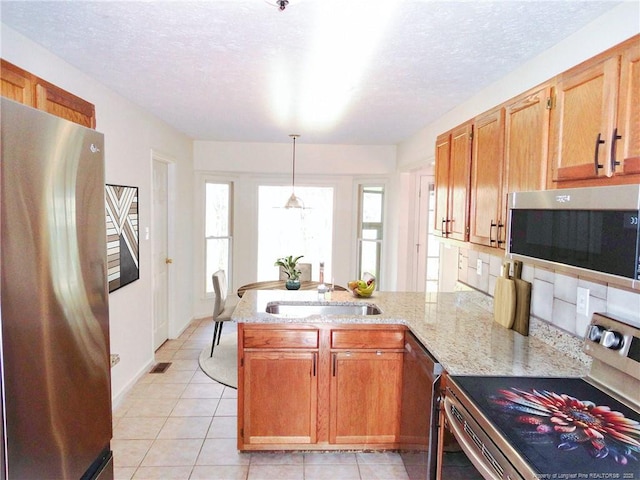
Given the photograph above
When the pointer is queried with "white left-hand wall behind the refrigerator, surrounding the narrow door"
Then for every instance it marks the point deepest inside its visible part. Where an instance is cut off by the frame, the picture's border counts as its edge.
(130, 136)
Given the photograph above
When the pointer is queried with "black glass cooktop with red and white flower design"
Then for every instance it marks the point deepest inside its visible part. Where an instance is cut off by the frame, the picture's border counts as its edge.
(563, 427)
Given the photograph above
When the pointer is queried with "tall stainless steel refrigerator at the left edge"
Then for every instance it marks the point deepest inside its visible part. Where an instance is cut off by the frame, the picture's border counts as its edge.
(56, 381)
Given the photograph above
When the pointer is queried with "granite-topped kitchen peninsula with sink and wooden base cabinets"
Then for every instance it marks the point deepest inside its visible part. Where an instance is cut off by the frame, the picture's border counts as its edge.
(319, 381)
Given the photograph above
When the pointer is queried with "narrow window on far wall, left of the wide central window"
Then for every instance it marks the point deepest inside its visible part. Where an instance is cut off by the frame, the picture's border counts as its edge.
(218, 234)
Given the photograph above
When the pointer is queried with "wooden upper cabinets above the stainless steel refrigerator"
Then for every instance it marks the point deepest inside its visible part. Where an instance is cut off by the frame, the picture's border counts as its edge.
(24, 87)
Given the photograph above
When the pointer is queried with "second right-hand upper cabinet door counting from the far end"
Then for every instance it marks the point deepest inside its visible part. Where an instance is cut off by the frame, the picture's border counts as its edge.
(459, 178)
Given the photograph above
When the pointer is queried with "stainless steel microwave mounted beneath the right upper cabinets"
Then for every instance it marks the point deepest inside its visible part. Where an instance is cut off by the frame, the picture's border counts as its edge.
(591, 232)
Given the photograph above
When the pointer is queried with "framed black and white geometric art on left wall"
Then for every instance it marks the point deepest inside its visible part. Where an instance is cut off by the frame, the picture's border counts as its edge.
(122, 235)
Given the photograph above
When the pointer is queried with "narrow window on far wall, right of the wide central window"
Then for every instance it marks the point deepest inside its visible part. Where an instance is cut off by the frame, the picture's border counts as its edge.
(370, 227)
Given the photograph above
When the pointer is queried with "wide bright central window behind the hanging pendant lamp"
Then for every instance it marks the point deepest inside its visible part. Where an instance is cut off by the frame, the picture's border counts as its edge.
(283, 232)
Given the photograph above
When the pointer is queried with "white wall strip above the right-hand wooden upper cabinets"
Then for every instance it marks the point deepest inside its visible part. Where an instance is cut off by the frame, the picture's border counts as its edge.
(607, 31)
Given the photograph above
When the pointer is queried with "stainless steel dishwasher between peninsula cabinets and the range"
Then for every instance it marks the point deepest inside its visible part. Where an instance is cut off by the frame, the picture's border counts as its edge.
(418, 422)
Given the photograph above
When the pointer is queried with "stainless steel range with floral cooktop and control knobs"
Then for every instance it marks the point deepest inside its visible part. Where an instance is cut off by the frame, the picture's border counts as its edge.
(548, 428)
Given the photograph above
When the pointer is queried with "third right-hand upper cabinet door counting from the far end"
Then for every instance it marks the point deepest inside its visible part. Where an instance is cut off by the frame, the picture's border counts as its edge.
(486, 178)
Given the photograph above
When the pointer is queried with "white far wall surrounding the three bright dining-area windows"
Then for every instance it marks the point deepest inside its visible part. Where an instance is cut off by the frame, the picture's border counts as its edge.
(249, 165)
